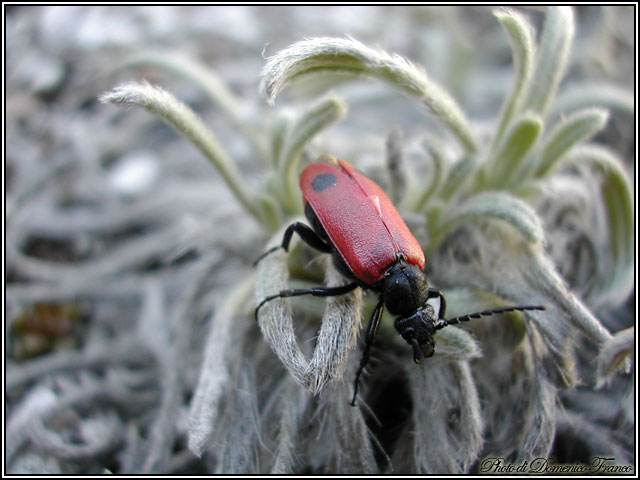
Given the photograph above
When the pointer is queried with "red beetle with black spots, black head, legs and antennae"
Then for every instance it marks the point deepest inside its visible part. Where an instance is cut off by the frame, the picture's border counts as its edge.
(354, 220)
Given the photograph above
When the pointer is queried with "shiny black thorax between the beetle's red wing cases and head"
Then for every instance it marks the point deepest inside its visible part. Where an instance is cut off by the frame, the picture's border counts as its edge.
(404, 289)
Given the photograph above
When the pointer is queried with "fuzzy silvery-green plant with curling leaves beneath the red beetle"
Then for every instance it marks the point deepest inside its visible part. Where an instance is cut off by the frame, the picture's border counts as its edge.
(274, 396)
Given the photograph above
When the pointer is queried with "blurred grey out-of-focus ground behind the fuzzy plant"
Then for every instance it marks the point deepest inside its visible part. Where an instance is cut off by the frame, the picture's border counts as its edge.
(112, 216)
